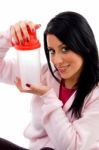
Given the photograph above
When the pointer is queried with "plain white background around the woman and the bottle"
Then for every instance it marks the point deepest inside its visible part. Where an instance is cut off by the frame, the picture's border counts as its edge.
(14, 106)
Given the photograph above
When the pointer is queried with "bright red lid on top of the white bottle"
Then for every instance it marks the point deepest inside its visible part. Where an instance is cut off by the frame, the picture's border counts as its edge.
(32, 44)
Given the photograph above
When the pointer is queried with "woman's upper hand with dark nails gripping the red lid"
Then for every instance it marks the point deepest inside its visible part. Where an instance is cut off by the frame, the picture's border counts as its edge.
(21, 28)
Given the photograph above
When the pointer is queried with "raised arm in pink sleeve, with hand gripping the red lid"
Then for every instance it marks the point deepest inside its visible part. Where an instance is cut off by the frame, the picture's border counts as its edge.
(8, 67)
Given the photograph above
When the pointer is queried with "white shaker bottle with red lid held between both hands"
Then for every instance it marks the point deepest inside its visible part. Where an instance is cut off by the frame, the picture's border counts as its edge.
(28, 57)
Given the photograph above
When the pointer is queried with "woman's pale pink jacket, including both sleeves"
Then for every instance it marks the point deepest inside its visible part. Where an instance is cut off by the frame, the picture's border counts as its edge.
(51, 124)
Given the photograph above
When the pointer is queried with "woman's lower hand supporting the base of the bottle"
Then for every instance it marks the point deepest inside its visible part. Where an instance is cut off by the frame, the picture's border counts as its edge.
(38, 90)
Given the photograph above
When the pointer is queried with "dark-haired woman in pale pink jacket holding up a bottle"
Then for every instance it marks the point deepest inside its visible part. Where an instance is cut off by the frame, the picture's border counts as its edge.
(66, 106)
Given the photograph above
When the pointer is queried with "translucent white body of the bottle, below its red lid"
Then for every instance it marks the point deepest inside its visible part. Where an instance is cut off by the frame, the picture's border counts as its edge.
(29, 66)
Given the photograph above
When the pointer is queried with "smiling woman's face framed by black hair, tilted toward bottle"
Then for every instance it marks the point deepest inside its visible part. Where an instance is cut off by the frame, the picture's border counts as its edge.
(68, 63)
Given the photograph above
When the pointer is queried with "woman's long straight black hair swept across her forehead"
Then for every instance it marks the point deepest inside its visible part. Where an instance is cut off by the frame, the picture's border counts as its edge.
(73, 30)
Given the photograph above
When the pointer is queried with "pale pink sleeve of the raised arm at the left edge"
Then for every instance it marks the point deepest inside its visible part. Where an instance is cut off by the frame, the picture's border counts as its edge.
(8, 68)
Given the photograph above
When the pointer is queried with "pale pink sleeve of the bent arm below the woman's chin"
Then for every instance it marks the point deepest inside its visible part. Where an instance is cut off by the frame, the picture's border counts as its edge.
(79, 134)
